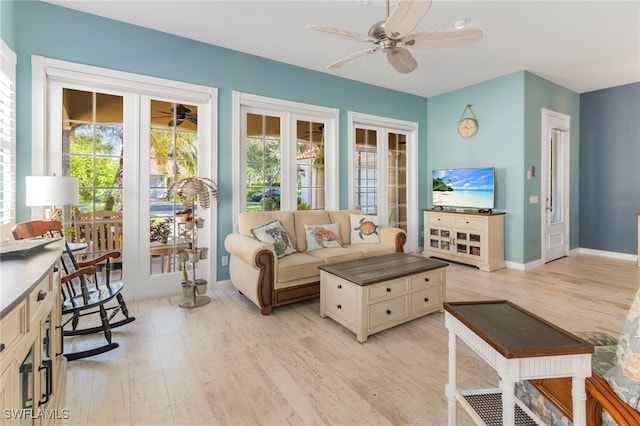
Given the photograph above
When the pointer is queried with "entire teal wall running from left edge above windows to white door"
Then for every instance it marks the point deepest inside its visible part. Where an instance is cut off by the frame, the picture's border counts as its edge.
(507, 108)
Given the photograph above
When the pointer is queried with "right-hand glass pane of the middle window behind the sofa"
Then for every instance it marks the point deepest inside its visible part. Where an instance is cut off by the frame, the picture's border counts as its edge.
(310, 165)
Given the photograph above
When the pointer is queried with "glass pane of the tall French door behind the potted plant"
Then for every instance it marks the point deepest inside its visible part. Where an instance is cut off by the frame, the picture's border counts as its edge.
(173, 156)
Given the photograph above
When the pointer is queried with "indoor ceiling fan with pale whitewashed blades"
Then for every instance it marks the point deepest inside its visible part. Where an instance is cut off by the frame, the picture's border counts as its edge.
(392, 34)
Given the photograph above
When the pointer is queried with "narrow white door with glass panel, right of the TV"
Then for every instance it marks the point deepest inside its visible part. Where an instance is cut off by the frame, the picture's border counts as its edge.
(555, 185)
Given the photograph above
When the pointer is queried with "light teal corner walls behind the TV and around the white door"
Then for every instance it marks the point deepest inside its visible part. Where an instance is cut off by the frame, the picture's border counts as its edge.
(508, 110)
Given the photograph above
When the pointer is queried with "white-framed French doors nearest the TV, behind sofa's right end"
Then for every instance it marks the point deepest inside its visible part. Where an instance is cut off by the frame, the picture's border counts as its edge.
(383, 171)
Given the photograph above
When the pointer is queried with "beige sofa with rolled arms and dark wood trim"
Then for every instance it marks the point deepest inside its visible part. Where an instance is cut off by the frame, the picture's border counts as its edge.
(269, 281)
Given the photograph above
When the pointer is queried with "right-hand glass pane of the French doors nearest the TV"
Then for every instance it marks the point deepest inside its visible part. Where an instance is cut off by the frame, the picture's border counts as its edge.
(397, 180)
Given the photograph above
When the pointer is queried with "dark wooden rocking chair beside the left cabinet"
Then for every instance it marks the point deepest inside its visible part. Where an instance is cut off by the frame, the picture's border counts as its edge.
(82, 293)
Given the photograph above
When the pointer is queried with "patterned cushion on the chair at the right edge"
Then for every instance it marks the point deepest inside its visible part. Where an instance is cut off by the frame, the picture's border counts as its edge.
(624, 378)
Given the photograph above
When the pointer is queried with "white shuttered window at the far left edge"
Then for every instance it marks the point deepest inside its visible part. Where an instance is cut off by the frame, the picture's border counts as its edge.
(8, 61)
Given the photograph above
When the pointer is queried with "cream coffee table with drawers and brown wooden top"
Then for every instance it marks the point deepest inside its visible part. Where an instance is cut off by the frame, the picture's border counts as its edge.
(370, 295)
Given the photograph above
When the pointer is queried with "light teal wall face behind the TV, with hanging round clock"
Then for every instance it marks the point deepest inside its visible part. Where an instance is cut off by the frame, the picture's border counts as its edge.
(498, 105)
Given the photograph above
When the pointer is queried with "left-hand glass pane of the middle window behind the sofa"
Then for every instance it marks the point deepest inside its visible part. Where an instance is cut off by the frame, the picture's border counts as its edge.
(263, 163)
